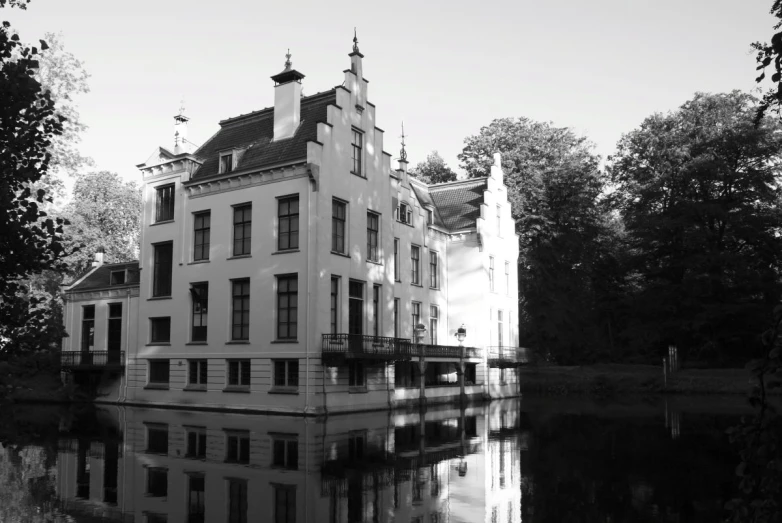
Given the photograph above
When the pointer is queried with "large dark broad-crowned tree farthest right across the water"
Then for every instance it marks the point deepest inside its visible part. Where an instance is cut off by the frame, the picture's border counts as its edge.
(699, 191)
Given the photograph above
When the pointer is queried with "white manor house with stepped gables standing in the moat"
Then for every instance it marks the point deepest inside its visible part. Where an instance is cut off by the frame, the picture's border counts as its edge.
(286, 267)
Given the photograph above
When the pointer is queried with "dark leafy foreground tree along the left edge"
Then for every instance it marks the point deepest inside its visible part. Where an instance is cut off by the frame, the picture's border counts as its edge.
(30, 240)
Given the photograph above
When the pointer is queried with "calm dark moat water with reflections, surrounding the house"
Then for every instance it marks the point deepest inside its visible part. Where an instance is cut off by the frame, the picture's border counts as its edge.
(547, 460)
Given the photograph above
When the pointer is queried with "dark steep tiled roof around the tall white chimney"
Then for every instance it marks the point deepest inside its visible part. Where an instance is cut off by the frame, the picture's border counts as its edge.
(255, 131)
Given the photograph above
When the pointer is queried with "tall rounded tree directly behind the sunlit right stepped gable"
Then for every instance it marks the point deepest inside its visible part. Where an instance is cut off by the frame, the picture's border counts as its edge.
(554, 186)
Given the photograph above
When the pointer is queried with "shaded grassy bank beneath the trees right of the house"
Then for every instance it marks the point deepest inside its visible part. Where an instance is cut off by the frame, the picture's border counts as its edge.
(613, 379)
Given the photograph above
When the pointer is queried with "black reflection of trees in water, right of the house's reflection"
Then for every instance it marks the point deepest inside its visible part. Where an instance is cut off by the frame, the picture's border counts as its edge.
(587, 468)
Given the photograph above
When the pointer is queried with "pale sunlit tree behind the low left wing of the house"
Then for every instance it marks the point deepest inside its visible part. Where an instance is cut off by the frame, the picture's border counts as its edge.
(105, 212)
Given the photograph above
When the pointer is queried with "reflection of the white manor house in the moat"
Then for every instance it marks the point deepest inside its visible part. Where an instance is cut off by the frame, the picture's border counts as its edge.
(149, 465)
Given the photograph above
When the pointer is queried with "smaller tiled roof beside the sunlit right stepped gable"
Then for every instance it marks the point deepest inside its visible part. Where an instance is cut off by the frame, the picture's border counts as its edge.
(459, 202)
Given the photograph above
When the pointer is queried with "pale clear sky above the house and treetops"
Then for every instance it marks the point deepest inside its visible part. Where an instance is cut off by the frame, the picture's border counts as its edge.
(444, 68)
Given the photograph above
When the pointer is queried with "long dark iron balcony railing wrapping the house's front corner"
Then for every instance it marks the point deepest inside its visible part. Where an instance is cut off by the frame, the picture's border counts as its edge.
(360, 346)
